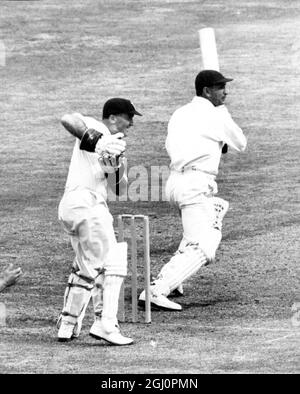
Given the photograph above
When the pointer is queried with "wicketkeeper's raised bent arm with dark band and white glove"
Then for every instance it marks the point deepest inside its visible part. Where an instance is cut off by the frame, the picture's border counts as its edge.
(92, 140)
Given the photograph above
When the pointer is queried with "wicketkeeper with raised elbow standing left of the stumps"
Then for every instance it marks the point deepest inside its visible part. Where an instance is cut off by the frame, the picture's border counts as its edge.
(100, 262)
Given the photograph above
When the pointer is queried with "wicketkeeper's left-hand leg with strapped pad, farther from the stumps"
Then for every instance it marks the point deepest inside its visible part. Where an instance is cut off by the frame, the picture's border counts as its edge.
(90, 244)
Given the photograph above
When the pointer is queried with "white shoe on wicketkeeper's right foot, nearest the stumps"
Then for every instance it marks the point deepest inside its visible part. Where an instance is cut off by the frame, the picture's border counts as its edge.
(110, 334)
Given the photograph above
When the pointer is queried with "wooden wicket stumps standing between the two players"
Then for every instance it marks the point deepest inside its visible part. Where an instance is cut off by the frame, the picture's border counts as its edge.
(132, 219)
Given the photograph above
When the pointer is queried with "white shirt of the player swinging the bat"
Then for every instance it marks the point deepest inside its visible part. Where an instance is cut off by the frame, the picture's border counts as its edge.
(196, 133)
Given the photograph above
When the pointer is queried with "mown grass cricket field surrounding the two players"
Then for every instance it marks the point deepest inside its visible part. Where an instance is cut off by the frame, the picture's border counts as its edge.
(64, 56)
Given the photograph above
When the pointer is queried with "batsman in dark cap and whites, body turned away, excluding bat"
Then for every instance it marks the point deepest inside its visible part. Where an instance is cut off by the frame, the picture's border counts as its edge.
(198, 132)
